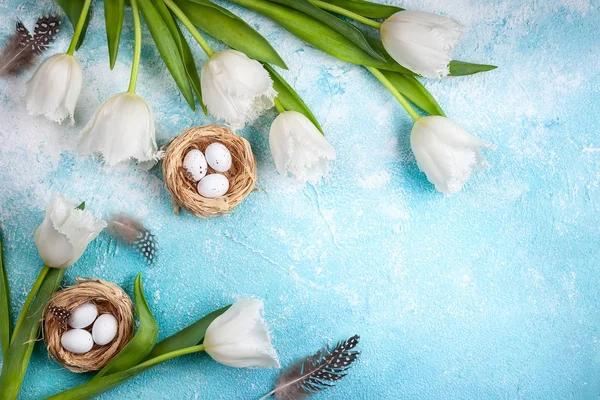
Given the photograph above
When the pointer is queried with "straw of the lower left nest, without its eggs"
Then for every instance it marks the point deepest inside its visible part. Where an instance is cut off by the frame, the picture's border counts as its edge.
(109, 299)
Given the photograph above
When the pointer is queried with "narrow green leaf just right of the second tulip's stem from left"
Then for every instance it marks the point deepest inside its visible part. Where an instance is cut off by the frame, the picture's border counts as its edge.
(168, 49)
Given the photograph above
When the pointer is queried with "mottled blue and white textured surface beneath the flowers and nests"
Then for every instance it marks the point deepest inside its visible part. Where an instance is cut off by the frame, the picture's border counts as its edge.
(491, 293)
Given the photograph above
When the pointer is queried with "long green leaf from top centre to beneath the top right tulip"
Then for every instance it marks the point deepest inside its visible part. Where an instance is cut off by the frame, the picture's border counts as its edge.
(320, 35)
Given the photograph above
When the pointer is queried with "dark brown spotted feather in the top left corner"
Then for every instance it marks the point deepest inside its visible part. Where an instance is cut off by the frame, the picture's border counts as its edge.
(23, 48)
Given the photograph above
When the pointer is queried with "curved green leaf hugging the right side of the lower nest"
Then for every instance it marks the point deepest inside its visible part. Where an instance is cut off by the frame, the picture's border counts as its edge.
(143, 341)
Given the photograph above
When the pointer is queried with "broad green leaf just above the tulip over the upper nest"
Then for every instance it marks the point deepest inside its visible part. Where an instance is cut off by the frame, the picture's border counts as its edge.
(232, 30)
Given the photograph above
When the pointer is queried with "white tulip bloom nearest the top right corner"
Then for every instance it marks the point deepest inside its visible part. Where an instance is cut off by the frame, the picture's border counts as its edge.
(421, 42)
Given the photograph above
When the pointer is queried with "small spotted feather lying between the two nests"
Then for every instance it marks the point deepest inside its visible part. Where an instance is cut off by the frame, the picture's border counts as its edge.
(132, 232)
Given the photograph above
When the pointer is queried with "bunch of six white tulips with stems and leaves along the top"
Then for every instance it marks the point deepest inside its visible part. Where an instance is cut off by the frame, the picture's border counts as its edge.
(237, 86)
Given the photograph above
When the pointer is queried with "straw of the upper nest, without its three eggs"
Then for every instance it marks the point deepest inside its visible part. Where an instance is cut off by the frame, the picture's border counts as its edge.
(241, 175)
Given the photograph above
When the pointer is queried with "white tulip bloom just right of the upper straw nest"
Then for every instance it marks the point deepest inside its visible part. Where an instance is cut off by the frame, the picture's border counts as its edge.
(299, 148)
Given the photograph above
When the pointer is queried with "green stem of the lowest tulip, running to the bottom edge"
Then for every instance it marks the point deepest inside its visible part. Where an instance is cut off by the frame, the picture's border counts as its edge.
(96, 387)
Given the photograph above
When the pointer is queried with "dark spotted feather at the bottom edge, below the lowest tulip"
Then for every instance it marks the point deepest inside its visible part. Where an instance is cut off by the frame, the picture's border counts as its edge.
(317, 372)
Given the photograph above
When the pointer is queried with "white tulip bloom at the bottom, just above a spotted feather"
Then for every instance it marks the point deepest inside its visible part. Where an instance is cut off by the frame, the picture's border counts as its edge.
(239, 337)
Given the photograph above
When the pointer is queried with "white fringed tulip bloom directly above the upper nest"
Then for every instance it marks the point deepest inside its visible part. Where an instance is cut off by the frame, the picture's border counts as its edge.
(236, 88)
